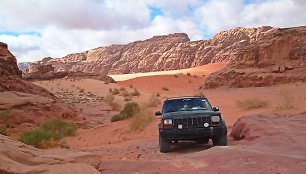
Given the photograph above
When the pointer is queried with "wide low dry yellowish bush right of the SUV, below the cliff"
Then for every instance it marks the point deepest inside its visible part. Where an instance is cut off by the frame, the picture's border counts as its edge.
(252, 103)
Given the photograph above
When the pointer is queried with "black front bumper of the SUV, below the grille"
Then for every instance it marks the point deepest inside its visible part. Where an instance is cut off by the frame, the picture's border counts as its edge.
(192, 133)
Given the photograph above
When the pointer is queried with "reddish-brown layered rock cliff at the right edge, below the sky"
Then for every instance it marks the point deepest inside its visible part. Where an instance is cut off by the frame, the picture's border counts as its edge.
(278, 57)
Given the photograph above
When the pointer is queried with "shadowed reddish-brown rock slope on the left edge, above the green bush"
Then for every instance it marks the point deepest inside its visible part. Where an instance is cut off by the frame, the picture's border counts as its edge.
(24, 102)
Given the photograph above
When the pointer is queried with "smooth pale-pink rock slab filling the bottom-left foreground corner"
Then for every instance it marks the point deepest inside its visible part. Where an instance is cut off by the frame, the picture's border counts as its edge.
(17, 157)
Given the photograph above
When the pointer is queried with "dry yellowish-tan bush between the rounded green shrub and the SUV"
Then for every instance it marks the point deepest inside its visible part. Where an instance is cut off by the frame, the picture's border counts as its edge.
(140, 120)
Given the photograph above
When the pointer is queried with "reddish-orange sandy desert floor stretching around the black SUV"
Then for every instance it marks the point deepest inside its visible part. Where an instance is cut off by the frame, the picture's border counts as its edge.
(115, 142)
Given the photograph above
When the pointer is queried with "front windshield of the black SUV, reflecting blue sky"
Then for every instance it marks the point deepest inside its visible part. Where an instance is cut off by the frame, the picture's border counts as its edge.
(186, 104)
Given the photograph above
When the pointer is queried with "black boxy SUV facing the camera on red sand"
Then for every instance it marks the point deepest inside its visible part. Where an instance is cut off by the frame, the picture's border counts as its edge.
(190, 118)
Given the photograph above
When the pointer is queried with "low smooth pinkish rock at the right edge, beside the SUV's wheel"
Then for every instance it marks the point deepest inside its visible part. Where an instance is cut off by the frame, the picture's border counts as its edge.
(272, 133)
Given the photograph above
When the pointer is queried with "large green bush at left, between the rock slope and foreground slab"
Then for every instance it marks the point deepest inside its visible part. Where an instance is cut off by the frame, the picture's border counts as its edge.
(48, 134)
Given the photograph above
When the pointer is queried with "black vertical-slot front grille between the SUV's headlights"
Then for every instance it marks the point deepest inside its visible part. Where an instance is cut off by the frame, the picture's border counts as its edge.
(191, 121)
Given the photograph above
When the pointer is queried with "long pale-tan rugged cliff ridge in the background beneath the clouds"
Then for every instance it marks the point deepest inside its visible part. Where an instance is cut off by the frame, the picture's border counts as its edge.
(174, 51)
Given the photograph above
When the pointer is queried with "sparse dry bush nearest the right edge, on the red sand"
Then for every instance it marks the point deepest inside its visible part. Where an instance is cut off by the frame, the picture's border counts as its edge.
(286, 99)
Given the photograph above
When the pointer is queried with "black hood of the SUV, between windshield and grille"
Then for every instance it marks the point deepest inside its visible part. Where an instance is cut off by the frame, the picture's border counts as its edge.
(194, 113)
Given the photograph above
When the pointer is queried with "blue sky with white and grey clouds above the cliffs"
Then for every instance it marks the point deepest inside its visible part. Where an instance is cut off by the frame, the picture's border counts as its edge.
(35, 29)
